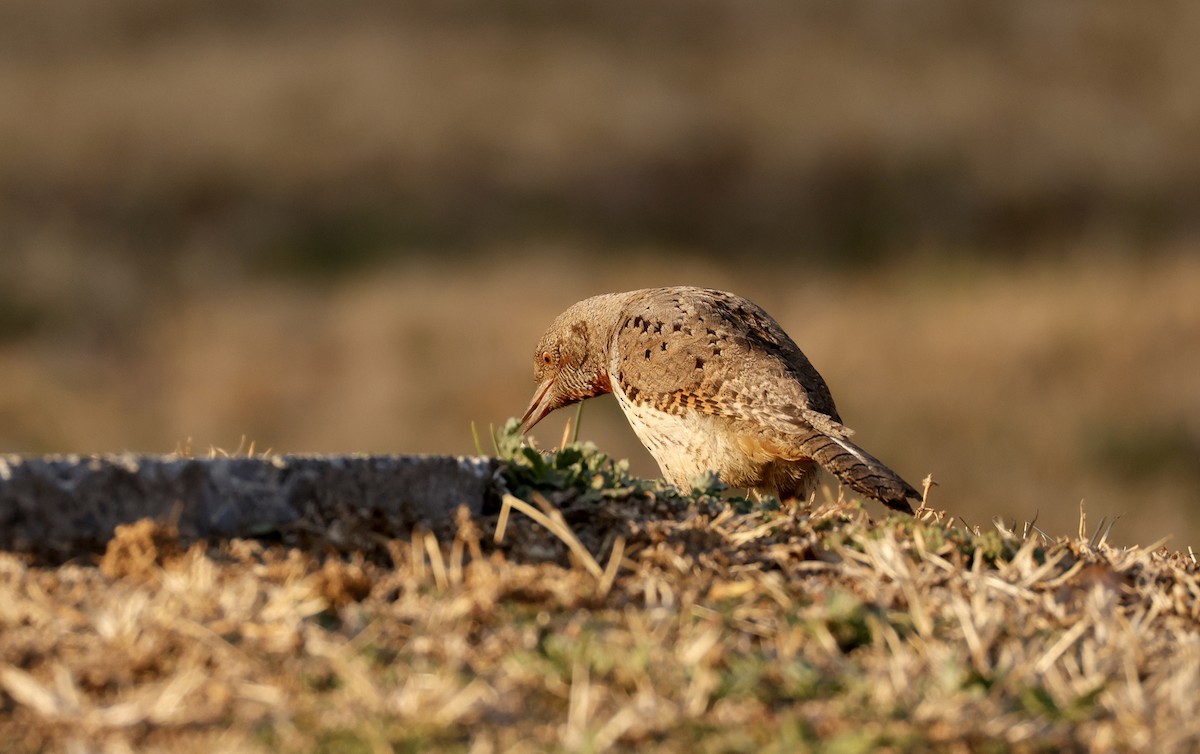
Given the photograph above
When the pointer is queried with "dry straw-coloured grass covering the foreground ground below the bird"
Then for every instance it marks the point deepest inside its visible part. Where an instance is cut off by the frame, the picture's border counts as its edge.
(634, 620)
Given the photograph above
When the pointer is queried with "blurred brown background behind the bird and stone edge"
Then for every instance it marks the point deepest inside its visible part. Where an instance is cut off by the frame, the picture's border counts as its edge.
(343, 228)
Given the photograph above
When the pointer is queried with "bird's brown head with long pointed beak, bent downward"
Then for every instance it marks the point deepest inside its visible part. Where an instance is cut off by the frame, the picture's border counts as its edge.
(572, 361)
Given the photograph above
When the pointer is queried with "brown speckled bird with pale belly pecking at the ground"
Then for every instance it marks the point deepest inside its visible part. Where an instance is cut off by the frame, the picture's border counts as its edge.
(710, 382)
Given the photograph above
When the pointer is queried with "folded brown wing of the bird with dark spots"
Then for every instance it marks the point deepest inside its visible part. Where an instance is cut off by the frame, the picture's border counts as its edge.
(691, 349)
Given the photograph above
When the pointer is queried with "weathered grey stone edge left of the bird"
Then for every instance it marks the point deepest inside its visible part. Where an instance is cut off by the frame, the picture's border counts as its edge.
(62, 504)
